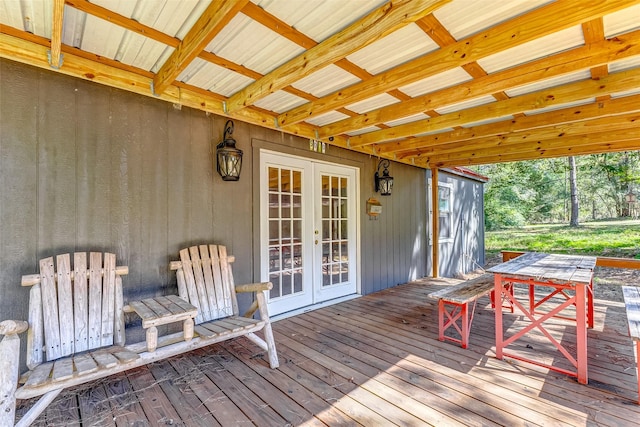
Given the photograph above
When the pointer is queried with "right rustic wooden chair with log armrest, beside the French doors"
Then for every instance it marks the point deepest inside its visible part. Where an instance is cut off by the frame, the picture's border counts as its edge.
(206, 281)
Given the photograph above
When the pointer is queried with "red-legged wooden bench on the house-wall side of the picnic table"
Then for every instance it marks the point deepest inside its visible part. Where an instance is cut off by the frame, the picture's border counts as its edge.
(453, 306)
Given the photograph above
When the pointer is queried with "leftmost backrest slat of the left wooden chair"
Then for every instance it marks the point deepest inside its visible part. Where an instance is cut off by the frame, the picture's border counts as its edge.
(50, 309)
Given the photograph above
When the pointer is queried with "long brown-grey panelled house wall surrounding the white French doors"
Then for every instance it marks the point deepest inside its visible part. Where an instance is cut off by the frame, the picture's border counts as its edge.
(87, 167)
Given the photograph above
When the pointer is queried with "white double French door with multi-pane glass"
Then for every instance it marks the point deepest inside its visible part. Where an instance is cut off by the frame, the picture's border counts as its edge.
(308, 231)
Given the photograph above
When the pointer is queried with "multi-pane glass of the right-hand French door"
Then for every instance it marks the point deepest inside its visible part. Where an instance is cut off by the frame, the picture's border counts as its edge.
(335, 220)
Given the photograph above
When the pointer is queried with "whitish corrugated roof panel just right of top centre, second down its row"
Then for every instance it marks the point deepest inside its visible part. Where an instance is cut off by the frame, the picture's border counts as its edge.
(398, 47)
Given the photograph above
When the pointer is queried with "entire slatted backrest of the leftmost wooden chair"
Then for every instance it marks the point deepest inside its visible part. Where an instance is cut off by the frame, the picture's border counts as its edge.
(72, 308)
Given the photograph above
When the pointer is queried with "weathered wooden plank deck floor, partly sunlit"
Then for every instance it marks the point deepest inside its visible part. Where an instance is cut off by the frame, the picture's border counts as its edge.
(372, 361)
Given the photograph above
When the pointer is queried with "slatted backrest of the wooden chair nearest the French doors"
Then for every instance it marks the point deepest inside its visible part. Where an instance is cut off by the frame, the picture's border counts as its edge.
(205, 280)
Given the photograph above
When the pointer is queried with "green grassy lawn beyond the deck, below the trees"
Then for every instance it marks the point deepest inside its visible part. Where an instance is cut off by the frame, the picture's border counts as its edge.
(607, 238)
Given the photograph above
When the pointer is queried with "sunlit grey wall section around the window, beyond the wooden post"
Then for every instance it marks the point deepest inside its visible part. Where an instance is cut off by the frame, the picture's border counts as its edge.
(466, 253)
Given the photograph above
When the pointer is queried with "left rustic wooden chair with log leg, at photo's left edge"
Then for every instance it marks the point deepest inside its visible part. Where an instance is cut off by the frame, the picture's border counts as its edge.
(75, 331)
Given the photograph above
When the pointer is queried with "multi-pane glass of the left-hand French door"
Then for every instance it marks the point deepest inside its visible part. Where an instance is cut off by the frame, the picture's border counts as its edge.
(285, 232)
